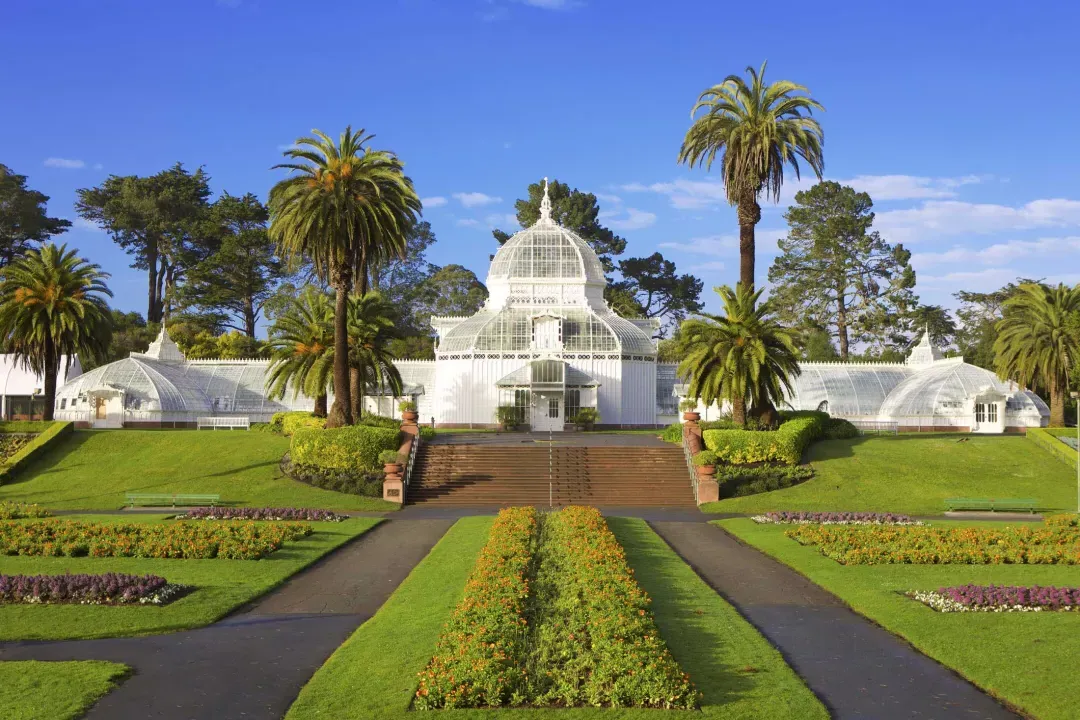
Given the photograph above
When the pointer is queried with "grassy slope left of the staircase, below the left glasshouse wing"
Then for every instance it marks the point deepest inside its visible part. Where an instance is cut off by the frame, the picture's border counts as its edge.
(94, 470)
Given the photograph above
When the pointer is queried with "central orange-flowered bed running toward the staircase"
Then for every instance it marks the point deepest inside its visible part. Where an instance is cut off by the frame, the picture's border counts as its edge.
(552, 617)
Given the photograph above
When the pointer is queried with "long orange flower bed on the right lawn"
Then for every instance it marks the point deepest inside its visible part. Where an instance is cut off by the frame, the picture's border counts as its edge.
(1057, 545)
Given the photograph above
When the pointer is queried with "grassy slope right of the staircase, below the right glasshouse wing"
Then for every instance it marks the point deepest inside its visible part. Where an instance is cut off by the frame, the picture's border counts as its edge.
(915, 474)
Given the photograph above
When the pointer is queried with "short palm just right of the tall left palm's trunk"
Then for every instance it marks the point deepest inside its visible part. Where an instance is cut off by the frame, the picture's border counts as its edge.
(373, 324)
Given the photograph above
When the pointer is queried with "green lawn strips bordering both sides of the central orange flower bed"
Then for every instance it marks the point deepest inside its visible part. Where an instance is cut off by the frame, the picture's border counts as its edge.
(373, 675)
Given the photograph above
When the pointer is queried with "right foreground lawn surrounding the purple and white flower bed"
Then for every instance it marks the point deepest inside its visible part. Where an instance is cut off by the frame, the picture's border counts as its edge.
(1027, 659)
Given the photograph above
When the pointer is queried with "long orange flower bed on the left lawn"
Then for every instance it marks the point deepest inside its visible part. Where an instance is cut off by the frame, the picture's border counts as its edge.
(178, 540)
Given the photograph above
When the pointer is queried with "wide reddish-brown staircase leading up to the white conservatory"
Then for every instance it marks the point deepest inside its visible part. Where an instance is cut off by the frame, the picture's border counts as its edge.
(499, 476)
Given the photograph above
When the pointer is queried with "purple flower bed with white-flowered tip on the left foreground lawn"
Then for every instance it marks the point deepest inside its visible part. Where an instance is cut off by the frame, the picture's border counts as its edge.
(109, 589)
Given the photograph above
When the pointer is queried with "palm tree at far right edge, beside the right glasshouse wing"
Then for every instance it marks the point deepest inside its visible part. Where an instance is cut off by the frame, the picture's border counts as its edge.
(1036, 344)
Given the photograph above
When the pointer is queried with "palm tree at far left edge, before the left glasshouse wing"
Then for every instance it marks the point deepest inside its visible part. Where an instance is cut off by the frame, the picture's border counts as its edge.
(52, 305)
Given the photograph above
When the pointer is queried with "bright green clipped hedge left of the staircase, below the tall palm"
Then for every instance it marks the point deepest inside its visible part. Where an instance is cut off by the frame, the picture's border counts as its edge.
(352, 450)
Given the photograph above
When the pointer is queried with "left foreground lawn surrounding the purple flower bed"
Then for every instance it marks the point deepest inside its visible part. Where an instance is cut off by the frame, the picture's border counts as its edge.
(221, 587)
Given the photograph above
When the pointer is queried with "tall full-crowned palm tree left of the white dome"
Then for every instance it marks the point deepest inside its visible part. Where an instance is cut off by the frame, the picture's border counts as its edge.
(345, 208)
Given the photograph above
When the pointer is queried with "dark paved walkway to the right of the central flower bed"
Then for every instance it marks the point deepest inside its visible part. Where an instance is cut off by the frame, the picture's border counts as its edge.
(857, 669)
